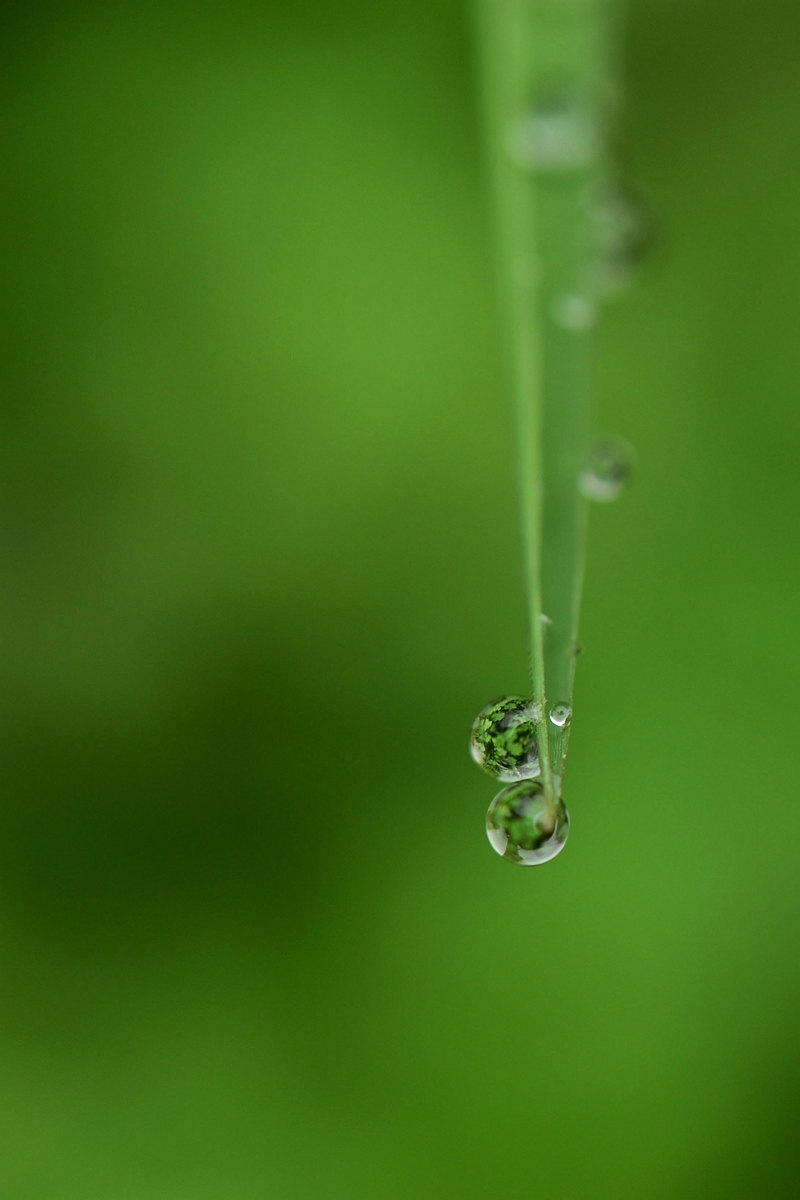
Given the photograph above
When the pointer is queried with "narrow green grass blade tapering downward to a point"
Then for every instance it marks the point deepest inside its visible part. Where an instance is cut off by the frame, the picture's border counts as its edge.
(540, 53)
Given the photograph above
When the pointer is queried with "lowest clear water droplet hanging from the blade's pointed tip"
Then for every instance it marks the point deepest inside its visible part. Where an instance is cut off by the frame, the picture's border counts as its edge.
(524, 829)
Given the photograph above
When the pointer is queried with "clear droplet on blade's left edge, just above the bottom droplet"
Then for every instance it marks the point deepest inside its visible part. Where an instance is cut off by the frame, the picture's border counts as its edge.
(504, 741)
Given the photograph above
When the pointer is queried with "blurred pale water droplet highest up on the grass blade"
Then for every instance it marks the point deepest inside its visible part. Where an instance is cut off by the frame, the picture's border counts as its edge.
(557, 135)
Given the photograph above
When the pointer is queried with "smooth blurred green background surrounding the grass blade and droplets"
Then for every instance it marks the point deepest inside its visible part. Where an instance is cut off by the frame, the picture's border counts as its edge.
(261, 569)
